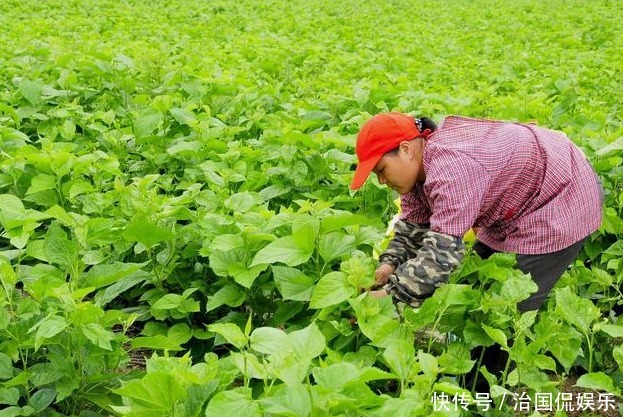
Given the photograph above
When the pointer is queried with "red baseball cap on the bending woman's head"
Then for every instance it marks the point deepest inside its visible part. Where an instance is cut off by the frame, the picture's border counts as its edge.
(379, 135)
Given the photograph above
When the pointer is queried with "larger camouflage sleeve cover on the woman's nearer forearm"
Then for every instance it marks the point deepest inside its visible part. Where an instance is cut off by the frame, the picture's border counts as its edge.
(417, 278)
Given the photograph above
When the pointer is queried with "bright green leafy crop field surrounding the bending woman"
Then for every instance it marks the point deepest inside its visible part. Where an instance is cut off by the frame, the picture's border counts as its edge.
(177, 237)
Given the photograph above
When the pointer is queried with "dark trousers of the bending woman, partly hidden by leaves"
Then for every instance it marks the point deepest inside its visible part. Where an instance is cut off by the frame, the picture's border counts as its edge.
(545, 270)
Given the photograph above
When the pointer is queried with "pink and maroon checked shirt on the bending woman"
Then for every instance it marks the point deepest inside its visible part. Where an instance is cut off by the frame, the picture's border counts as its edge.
(529, 190)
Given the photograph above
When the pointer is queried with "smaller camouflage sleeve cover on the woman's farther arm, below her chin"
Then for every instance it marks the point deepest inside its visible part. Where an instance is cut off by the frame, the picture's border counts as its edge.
(405, 244)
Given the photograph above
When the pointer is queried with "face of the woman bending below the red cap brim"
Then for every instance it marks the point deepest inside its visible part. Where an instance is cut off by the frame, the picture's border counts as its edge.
(401, 169)
